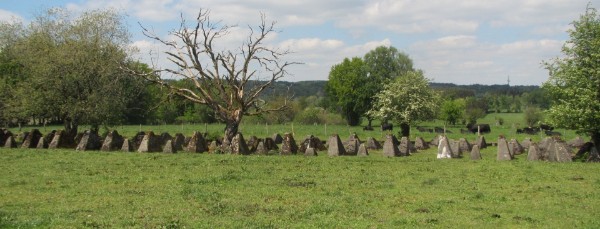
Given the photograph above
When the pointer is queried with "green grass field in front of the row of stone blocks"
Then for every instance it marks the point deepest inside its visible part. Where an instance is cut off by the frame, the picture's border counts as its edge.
(70, 189)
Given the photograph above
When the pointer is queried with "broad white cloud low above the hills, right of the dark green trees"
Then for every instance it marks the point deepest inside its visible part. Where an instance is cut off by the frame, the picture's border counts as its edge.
(467, 60)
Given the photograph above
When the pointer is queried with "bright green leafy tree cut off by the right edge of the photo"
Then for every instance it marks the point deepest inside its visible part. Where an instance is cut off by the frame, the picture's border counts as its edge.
(574, 82)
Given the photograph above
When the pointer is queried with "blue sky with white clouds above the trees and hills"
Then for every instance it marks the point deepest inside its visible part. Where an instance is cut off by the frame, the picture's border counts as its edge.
(453, 41)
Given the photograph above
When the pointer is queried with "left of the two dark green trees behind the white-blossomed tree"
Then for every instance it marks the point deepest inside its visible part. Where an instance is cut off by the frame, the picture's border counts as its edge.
(345, 87)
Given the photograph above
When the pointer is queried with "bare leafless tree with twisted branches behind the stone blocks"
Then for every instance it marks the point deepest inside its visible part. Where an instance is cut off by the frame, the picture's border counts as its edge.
(228, 81)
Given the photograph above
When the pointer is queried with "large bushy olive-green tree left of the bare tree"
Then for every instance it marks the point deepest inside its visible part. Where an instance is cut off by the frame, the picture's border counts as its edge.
(72, 67)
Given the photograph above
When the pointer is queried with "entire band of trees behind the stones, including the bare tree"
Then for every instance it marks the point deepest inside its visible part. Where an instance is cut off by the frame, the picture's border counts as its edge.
(75, 70)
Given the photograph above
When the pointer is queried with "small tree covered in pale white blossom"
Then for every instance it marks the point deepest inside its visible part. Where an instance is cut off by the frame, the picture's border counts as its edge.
(407, 100)
